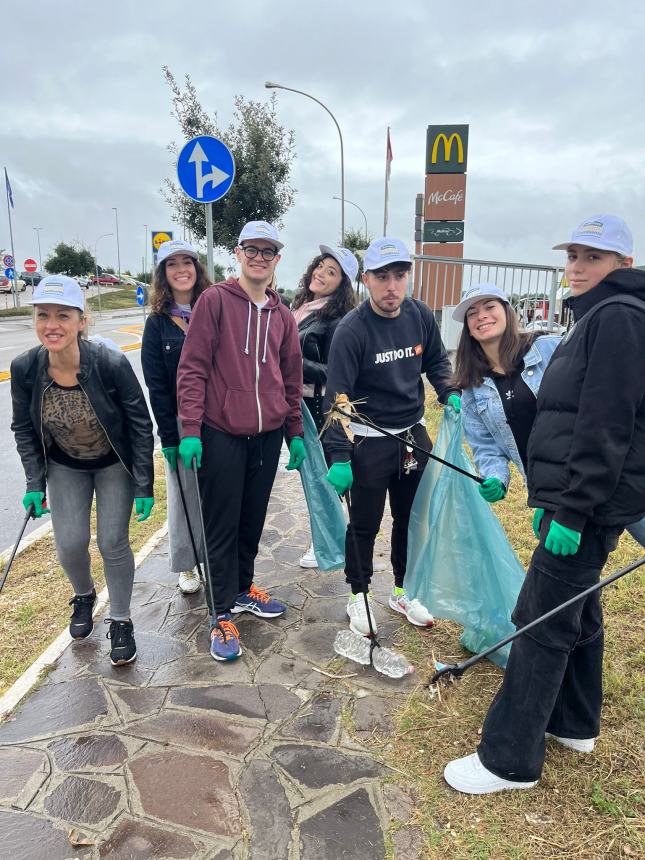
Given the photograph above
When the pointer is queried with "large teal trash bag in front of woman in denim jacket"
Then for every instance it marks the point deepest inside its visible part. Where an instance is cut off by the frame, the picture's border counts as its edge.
(460, 563)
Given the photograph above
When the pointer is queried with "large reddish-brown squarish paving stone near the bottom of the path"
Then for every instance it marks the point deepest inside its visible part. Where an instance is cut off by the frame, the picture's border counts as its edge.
(201, 796)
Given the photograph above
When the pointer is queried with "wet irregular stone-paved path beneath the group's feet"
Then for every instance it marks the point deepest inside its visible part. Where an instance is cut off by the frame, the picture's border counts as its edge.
(178, 756)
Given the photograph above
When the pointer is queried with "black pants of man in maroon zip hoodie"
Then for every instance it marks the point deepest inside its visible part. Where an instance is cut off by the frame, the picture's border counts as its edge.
(235, 481)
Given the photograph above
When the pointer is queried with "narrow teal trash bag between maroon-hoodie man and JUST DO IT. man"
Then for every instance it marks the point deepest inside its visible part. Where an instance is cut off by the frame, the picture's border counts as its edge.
(325, 510)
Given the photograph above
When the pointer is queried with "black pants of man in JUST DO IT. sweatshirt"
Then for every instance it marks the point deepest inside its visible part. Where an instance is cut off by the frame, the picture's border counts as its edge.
(377, 466)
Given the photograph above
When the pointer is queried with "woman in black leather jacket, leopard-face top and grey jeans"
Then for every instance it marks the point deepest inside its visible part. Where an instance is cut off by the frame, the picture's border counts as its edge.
(83, 430)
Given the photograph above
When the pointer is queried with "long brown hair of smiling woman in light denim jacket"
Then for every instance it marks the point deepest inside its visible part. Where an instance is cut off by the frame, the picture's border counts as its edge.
(471, 364)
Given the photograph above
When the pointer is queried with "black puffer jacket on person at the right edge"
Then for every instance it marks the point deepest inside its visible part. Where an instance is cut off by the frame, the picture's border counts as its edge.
(586, 452)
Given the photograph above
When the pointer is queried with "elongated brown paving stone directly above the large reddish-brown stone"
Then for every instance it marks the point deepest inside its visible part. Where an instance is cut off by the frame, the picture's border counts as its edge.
(198, 731)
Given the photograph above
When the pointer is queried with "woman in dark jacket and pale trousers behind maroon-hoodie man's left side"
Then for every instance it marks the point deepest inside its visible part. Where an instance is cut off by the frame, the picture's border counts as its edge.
(179, 280)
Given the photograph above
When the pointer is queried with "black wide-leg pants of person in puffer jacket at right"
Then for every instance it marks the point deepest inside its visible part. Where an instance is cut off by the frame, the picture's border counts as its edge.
(553, 680)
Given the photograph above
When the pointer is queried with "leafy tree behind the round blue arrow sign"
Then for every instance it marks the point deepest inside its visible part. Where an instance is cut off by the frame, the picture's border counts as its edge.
(263, 152)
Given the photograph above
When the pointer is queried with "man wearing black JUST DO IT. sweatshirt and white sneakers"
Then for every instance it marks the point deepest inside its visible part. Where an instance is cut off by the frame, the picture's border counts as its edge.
(378, 354)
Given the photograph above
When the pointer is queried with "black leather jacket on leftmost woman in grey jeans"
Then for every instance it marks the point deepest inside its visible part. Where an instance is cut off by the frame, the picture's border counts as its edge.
(115, 395)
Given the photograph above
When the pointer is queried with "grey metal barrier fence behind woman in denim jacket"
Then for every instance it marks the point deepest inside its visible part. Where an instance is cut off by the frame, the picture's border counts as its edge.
(532, 289)
